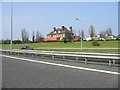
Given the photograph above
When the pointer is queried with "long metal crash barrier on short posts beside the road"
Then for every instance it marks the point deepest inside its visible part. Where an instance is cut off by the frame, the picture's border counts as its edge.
(111, 59)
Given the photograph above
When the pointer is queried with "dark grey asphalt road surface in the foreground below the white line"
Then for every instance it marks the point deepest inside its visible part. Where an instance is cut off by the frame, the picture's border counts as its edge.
(23, 74)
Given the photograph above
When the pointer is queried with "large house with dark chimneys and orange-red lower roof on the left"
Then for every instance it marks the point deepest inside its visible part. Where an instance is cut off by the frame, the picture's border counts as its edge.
(59, 33)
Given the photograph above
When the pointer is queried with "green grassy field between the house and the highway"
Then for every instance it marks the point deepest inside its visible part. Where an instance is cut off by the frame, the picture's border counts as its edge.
(69, 46)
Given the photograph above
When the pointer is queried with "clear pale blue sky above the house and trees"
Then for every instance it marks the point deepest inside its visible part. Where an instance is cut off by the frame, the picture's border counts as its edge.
(43, 16)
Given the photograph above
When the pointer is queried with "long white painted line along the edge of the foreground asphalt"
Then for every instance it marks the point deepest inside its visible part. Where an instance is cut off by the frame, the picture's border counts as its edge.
(63, 65)
